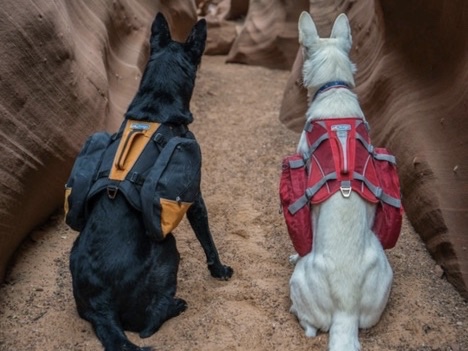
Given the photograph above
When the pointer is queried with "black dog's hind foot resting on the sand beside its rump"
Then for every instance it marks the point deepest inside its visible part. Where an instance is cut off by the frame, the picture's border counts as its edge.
(163, 309)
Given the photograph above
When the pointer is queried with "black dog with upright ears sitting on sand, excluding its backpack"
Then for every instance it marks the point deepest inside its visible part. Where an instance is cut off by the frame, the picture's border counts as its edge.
(123, 279)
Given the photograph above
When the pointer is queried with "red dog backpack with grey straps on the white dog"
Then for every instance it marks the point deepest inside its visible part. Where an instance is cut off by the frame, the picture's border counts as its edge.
(340, 158)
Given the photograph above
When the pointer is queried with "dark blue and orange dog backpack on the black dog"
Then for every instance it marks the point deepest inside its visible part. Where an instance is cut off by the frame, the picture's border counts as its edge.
(156, 167)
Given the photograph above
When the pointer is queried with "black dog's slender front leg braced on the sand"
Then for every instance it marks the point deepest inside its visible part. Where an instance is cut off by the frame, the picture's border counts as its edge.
(198, 219)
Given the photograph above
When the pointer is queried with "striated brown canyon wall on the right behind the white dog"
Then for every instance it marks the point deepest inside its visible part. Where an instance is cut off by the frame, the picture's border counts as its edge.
(412, 60)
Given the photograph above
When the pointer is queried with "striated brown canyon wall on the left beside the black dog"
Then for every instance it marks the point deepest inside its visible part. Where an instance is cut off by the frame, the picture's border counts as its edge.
(68, 68)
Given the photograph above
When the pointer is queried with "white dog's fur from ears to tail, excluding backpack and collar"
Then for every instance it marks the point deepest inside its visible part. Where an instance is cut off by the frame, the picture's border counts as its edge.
(344, 283)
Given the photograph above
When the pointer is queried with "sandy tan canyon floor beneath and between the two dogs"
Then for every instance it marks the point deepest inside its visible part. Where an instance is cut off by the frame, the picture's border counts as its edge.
(236, 111)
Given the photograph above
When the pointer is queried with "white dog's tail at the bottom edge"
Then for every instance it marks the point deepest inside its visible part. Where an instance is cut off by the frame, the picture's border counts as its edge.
(344, 333)
